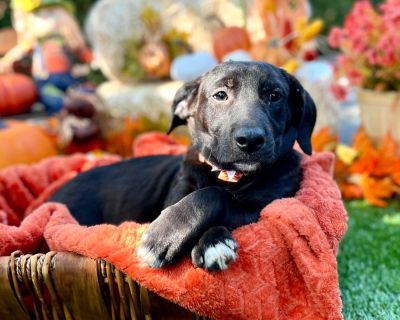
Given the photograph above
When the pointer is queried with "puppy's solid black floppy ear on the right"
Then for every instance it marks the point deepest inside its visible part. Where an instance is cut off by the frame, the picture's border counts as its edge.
(304, 113)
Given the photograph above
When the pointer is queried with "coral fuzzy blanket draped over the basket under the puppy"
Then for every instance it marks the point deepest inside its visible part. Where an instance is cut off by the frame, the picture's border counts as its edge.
(286, 266)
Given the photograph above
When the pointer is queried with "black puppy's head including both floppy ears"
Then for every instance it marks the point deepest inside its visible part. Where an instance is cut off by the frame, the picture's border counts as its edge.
(245, 115)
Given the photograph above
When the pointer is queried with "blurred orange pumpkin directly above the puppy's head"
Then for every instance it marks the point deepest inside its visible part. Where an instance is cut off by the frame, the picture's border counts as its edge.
(229, 39)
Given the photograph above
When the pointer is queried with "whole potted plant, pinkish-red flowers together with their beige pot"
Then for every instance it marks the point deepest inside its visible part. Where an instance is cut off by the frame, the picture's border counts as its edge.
(370, 59)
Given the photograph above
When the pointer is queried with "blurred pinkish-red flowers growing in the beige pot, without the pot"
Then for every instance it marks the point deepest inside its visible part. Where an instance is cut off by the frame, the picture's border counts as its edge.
(370, 45)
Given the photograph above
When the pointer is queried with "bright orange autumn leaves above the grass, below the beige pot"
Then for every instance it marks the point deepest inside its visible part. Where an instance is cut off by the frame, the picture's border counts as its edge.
(363, 170)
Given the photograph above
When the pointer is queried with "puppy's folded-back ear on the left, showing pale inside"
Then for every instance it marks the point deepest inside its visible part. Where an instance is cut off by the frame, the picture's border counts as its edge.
(184, 103)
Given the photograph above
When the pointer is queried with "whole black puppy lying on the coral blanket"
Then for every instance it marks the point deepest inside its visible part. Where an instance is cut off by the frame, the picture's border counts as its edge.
(244, 119)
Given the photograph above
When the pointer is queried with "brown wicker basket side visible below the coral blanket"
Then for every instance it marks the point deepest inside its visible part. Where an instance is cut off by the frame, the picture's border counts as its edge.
(68, 286)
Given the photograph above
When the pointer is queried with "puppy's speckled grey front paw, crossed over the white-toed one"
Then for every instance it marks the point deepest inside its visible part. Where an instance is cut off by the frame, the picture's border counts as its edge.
(163, 242)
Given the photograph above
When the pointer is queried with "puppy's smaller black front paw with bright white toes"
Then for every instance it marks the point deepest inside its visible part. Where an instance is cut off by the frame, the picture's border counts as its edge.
(215, 250)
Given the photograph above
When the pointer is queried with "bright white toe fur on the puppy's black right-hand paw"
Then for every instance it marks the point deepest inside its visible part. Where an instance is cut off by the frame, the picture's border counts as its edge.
(221, 254)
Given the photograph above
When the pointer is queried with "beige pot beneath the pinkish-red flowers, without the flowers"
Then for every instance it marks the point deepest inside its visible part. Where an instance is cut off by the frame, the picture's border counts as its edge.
(380, 113)
